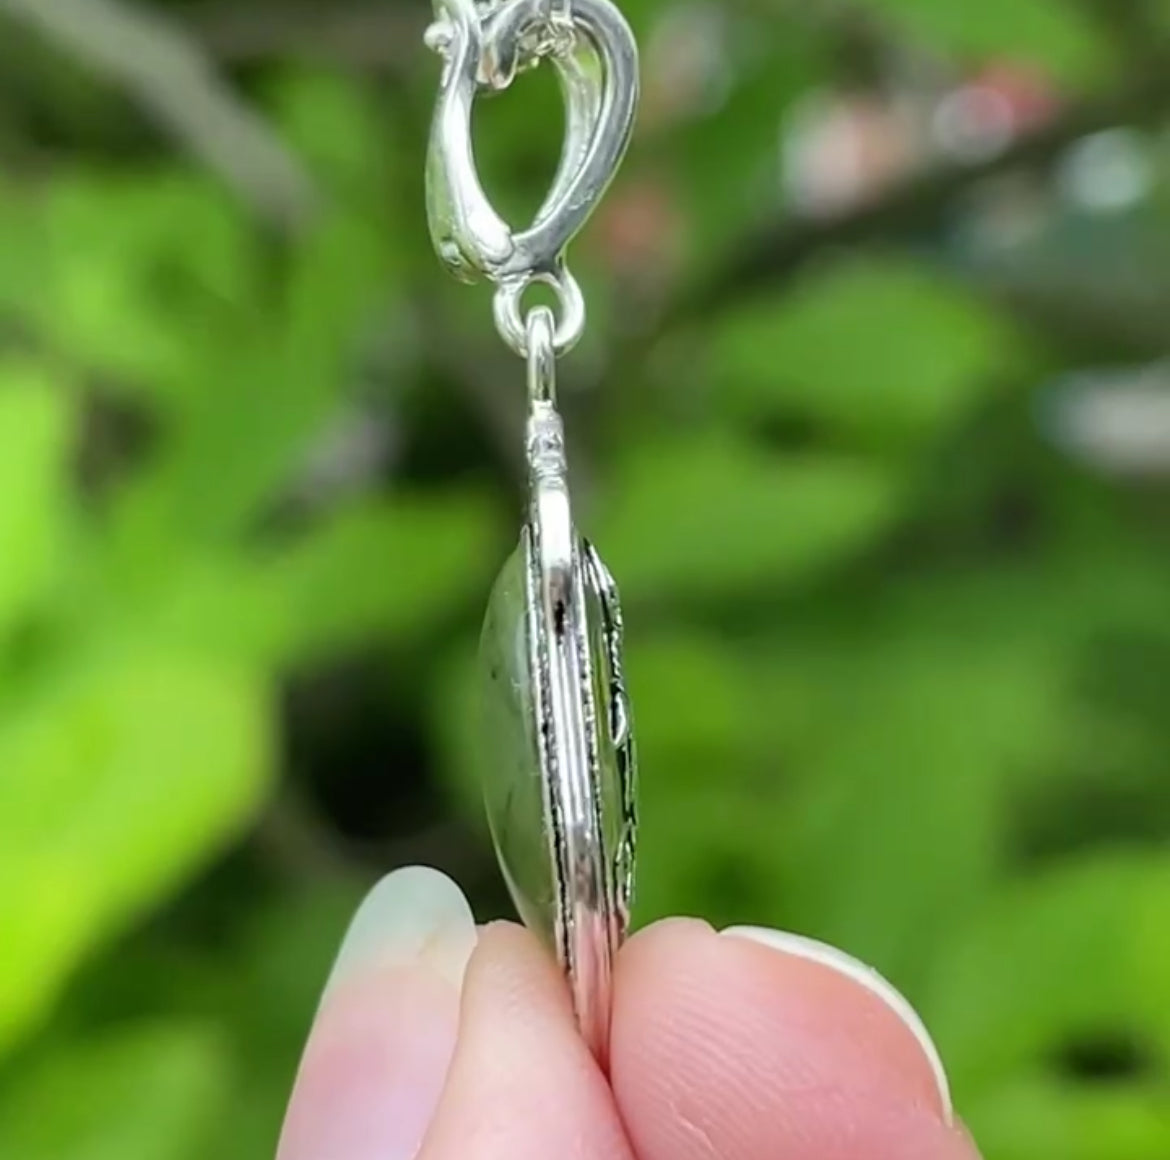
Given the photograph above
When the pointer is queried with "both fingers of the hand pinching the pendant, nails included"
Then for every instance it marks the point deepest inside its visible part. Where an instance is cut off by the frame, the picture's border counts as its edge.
(439, 1042)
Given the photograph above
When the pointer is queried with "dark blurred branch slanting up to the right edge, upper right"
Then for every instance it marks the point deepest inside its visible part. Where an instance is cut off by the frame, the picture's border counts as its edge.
(921, 203)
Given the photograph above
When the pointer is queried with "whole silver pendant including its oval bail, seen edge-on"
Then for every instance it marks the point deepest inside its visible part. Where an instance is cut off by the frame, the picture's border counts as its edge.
(559, 752)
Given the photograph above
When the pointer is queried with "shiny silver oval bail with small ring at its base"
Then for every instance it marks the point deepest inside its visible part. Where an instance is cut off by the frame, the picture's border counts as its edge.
(485, 45)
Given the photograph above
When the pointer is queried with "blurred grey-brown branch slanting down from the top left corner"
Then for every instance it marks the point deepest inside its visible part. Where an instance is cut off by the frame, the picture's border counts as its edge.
(177, 85)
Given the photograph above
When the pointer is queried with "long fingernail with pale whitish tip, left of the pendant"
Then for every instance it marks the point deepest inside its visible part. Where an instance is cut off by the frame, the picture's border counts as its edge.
(378, 1054)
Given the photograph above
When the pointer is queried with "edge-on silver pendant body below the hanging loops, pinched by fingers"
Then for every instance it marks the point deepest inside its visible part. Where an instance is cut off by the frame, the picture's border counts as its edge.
(558, 727)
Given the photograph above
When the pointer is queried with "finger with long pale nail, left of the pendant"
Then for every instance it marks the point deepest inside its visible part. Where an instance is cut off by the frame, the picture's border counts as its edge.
(437, 1042)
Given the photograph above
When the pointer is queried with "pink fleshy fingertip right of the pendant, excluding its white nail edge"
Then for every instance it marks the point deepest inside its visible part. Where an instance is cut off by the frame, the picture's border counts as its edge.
(729, 1047)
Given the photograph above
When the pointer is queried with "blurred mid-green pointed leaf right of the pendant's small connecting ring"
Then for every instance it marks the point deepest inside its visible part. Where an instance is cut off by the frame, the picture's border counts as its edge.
(885, 352)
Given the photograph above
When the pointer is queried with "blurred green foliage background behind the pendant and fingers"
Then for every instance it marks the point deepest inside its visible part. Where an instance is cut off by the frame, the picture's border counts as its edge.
(872, 424)
